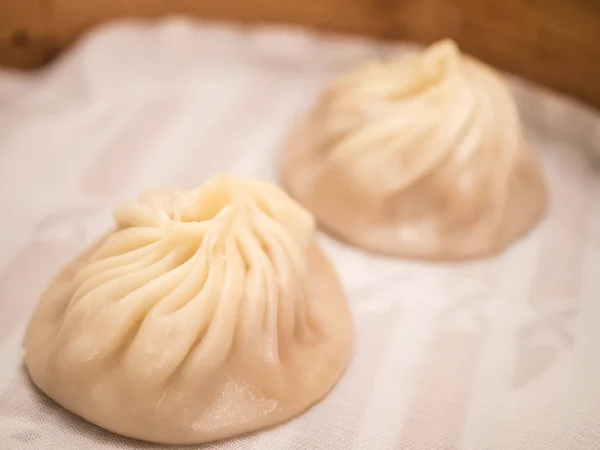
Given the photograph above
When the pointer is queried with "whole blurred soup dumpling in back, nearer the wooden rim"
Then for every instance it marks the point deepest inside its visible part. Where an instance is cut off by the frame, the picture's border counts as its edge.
(421, 157)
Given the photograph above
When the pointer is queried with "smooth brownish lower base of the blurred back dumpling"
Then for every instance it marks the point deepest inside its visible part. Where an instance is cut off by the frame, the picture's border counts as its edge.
(353, 215)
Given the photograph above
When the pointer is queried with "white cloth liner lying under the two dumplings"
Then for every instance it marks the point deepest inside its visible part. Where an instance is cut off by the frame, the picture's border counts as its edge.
(494, 354)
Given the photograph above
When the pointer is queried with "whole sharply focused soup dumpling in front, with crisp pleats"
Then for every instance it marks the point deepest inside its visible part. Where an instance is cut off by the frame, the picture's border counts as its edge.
(204, 315)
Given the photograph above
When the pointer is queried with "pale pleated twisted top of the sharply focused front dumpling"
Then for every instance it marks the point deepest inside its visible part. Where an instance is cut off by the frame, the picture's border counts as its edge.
(196, 254)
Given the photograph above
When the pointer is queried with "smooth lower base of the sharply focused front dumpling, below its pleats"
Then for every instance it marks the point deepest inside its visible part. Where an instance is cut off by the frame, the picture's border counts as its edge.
(182, 410)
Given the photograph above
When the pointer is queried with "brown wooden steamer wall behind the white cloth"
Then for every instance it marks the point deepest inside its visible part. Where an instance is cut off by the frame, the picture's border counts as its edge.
(553, 42)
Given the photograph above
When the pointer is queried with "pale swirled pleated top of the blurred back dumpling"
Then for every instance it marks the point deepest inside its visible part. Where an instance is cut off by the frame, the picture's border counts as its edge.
(393, 123)
